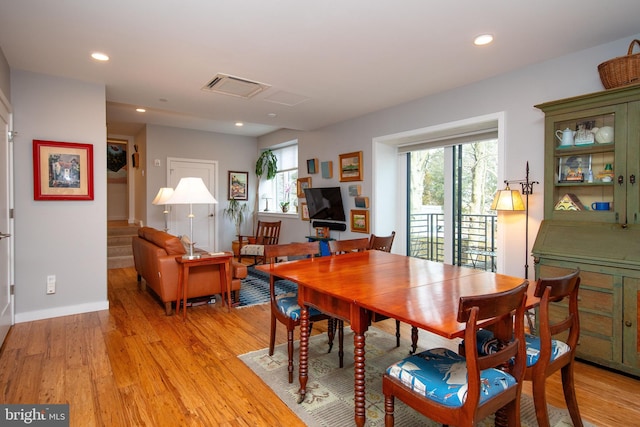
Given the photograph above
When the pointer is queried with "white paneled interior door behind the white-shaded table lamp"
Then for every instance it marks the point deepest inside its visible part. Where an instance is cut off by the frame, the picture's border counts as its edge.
(204, 221)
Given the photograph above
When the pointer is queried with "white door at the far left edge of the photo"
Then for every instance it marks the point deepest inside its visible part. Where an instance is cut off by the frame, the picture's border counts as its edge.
(6, 223)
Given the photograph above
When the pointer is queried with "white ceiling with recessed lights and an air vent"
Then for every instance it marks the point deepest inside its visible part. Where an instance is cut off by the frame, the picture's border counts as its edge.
(324, 61)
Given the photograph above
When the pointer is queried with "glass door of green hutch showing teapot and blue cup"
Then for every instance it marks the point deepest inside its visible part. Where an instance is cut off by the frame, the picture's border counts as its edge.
(587, 156)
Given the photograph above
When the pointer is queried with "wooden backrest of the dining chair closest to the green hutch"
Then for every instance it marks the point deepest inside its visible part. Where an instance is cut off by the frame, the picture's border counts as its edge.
(553, 290)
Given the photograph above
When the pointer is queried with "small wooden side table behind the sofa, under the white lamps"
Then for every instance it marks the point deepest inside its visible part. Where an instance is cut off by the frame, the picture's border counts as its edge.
(222, 258)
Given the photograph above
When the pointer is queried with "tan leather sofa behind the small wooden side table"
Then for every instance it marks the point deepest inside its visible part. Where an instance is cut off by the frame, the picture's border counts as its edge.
(154, 254)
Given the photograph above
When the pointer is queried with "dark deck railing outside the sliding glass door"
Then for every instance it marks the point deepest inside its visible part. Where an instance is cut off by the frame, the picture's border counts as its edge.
(477, 235)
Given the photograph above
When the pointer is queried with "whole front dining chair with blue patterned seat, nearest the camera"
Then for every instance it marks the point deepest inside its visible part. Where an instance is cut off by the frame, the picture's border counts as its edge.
(462, 390)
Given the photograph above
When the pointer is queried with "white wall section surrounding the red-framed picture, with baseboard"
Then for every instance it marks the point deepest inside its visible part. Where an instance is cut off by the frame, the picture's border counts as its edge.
(63, 238)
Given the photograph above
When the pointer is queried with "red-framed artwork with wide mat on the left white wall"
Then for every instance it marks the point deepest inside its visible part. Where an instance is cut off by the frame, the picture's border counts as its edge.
(62, 170)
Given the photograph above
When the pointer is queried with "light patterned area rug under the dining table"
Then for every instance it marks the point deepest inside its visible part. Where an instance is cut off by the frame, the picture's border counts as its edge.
(329, 398)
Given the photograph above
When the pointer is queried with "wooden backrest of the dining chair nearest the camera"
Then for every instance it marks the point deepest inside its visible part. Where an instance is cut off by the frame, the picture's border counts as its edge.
(507, 309)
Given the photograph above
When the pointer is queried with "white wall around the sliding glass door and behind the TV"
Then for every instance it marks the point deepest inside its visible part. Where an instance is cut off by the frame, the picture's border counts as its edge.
(514, 93)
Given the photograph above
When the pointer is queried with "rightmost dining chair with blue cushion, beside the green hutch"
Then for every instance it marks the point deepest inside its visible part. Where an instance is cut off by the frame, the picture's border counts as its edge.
(546, 355)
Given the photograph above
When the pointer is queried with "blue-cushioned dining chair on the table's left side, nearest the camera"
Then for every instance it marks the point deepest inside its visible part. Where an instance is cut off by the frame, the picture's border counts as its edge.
(285, 307)
